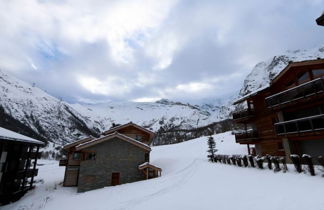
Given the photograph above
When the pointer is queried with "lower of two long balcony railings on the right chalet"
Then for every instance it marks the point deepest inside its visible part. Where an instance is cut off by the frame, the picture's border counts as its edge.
(302, 125)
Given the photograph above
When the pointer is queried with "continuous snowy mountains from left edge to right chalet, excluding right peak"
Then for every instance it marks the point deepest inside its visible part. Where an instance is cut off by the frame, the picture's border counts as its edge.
(46, 117)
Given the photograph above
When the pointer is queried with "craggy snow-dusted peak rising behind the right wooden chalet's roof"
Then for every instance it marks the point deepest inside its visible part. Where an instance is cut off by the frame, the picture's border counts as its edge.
(265, 71)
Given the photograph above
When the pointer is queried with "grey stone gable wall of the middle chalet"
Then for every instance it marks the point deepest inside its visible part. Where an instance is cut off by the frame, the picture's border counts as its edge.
(114, 155)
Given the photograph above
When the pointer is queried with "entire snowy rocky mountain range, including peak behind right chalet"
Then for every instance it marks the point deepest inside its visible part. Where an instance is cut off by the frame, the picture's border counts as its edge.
(35, 113)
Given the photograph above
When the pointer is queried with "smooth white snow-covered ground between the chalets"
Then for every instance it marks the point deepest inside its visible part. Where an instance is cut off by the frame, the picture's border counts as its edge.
(188, 182)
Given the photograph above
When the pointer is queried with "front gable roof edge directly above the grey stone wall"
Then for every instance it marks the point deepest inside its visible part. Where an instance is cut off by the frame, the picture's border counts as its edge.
(110, 136)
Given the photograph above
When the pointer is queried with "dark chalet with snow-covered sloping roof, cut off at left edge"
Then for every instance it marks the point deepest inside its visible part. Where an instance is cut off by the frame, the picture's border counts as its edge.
(18, 159)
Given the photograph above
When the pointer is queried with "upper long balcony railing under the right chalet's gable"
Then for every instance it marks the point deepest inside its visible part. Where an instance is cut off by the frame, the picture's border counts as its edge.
(296, 93)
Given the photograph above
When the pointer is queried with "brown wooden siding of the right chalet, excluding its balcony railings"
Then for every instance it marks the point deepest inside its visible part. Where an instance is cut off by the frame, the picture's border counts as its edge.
(265, 118)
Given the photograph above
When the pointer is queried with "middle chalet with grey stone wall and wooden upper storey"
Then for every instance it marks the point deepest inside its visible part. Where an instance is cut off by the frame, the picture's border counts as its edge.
(120, 155)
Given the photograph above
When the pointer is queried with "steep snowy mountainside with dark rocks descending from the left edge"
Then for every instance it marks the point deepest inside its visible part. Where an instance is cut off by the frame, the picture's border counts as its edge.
(47, 117)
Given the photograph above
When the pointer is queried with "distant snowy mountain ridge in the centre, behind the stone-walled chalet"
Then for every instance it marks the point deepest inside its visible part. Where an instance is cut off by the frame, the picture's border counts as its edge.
(154, 115)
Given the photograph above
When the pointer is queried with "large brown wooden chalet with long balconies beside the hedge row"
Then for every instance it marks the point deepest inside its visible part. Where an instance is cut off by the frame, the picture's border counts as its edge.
(287, 117)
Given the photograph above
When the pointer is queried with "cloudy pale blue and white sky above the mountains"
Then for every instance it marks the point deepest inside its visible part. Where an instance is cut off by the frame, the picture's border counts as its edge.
(143, 50)
